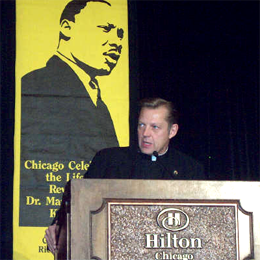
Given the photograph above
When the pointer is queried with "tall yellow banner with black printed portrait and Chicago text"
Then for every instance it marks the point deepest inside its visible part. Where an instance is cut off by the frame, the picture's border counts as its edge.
(72, 99)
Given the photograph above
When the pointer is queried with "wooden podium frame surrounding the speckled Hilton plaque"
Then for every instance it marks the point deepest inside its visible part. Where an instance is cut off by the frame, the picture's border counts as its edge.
(86, 231)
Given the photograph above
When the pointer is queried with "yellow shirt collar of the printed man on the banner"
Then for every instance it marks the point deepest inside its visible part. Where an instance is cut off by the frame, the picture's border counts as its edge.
(83, 76)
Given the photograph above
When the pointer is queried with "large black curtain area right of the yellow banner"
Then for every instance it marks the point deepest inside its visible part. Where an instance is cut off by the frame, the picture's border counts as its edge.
(204, 56)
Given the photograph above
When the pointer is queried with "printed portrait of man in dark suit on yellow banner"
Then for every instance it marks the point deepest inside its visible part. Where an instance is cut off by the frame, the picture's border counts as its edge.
(63, 116)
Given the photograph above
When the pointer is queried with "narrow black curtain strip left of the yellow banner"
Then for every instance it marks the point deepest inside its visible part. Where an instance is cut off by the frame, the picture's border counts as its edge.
(7, 97)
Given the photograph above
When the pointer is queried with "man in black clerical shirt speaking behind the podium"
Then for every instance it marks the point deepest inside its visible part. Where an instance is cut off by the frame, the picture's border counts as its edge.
(153, 159)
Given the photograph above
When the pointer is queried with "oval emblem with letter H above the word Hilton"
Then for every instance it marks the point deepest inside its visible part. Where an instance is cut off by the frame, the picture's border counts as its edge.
(173, 219)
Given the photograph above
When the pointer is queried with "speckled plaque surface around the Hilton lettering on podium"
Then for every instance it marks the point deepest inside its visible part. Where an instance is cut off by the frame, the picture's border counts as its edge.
(214, 225)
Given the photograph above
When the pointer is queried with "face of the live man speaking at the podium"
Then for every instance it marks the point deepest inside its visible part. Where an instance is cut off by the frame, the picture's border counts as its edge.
(154, 133)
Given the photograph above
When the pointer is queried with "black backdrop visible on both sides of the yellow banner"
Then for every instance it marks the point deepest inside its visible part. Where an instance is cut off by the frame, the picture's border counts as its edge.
(202, 55)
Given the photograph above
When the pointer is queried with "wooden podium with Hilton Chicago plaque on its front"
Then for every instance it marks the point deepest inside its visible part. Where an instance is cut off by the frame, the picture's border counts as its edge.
(157, 219)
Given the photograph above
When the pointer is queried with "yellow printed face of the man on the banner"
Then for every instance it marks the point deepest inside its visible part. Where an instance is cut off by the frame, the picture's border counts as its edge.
(95, 37)
